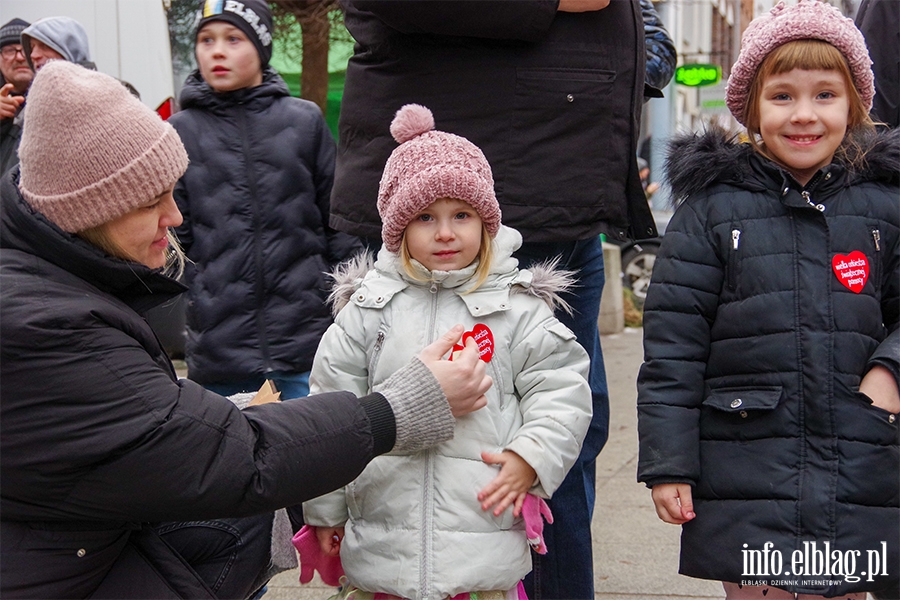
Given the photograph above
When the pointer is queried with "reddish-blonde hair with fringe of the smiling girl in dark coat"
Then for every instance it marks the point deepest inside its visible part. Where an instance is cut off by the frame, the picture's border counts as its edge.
(810, 55)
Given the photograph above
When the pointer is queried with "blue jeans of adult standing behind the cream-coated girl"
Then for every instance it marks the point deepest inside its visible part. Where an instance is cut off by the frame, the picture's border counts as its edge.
(567, 570)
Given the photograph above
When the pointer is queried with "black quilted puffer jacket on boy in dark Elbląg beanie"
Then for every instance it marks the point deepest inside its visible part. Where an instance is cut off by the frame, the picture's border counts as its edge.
(255, 201)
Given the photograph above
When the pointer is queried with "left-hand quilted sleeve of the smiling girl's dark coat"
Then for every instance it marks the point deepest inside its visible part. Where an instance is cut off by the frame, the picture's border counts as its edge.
(680, 308)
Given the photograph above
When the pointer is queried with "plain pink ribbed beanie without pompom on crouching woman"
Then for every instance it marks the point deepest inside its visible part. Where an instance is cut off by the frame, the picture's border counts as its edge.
(90, 151)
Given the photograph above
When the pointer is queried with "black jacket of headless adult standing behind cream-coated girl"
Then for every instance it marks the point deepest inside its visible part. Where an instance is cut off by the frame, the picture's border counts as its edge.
(552, 99)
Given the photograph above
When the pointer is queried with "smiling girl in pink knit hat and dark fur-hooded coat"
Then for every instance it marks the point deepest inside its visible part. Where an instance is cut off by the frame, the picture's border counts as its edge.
(768, 399)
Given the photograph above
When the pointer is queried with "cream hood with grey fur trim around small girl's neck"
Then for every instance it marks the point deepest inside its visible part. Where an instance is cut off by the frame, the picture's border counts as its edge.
(543, 280)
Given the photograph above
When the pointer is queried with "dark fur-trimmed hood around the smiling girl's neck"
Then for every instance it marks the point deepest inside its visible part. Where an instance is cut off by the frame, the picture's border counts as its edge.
(697, 160)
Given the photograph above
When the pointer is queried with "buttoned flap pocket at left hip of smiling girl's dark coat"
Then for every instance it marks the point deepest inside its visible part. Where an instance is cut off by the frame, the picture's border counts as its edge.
(740, 413)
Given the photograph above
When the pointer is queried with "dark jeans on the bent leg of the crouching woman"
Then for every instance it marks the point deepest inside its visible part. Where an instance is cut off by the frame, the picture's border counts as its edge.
(231, 556)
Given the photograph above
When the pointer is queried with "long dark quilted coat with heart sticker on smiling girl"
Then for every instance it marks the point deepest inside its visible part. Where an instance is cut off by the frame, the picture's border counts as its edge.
(754, 351)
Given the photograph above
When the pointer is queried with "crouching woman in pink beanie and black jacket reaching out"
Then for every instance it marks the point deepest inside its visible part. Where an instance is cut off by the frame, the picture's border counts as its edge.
(102, 448)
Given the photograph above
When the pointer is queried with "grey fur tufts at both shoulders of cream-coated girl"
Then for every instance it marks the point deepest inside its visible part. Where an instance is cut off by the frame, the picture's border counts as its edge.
(542, 280)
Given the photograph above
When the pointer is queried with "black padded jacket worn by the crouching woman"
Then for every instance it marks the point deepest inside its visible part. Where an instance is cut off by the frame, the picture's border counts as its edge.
(97, 436)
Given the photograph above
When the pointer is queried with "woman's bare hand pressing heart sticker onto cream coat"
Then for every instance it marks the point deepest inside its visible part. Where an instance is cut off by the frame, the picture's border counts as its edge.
(463, 380)
